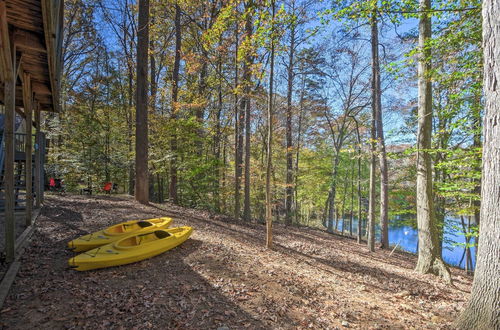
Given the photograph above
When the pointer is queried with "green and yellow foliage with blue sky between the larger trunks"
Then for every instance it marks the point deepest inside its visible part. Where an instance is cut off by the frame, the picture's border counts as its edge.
(93, 138)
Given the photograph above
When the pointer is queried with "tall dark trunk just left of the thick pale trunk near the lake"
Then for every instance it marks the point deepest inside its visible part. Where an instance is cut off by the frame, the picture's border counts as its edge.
(377, 96)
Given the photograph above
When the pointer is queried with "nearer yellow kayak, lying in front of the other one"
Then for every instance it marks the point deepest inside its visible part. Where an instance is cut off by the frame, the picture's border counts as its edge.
(131, 249)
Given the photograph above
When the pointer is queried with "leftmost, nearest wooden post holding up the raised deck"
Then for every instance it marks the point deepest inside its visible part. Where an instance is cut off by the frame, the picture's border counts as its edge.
(10, 104)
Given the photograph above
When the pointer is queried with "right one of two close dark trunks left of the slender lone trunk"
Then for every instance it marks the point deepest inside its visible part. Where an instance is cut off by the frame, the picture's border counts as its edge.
(247, 76)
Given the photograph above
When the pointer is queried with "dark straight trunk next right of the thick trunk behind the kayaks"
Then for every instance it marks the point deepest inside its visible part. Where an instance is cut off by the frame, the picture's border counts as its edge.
(175, 106)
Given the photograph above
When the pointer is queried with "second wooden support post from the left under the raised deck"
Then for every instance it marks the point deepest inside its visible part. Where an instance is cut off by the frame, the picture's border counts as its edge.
(28, 108)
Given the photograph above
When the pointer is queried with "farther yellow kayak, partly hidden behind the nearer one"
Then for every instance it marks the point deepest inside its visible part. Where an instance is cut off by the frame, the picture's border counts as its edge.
(114, 233)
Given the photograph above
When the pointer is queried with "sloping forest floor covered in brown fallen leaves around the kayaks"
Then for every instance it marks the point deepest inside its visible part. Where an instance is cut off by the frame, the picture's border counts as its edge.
(222, 277)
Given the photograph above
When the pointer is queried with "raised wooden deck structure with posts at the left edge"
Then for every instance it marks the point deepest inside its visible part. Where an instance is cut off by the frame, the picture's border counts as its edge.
(30, 71)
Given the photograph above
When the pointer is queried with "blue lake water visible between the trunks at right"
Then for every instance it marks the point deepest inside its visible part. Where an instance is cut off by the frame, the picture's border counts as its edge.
(407, 237)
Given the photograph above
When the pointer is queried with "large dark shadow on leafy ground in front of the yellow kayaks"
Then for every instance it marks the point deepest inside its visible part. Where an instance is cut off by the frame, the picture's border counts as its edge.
(161, 292)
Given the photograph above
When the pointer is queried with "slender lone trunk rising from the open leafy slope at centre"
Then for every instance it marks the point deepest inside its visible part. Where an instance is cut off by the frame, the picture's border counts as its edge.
(269, 165)
